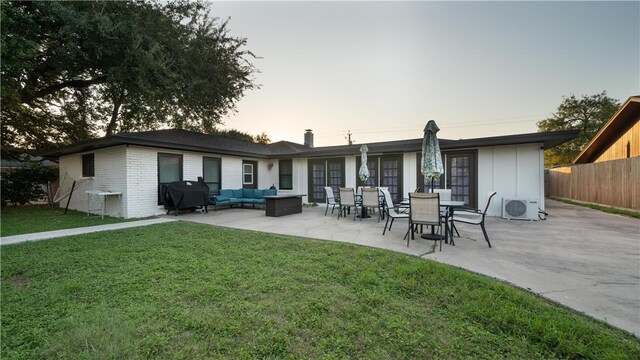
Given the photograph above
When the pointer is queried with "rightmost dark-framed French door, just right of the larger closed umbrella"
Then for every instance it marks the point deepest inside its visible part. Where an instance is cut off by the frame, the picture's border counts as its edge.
(462, 176)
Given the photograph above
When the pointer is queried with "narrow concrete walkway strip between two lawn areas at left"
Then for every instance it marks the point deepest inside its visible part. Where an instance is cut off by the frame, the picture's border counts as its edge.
(16, 239)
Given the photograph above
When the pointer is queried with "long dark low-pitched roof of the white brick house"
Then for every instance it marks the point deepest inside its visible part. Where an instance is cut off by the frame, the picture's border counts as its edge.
(193, 141)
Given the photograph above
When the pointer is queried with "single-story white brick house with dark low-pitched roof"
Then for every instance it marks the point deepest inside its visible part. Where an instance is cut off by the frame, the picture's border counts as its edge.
(137, 164)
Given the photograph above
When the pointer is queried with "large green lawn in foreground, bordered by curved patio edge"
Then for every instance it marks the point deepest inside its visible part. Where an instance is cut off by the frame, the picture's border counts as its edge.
(182, 290)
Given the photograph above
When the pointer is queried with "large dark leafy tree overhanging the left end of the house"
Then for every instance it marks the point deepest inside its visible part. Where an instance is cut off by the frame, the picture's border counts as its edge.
(73, 70)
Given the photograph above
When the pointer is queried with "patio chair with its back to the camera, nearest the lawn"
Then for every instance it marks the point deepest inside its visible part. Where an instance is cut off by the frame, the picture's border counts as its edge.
(425, 210)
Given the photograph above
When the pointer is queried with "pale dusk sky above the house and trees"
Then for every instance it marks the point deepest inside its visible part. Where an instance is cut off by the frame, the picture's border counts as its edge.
(381, 70)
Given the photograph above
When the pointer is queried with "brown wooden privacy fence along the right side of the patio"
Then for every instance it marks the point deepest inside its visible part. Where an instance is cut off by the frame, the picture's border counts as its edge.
(614, 183)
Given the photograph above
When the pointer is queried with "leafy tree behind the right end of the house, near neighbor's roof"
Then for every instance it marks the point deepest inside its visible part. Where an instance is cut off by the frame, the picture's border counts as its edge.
(587, 114)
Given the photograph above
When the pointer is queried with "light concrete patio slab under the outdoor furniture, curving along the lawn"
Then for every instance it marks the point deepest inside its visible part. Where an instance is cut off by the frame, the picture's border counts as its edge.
(581, 258)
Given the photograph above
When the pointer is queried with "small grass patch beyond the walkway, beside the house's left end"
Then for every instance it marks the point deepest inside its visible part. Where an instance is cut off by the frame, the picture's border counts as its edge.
(31, 219)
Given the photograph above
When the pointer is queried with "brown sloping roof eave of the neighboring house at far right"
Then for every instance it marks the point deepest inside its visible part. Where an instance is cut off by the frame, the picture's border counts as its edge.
(623, 119)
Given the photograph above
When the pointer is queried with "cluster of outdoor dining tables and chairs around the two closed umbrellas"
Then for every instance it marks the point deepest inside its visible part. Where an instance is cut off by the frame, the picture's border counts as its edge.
(435, 210)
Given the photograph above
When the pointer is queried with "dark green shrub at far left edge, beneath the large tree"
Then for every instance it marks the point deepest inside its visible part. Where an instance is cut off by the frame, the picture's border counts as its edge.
(25, 184)
